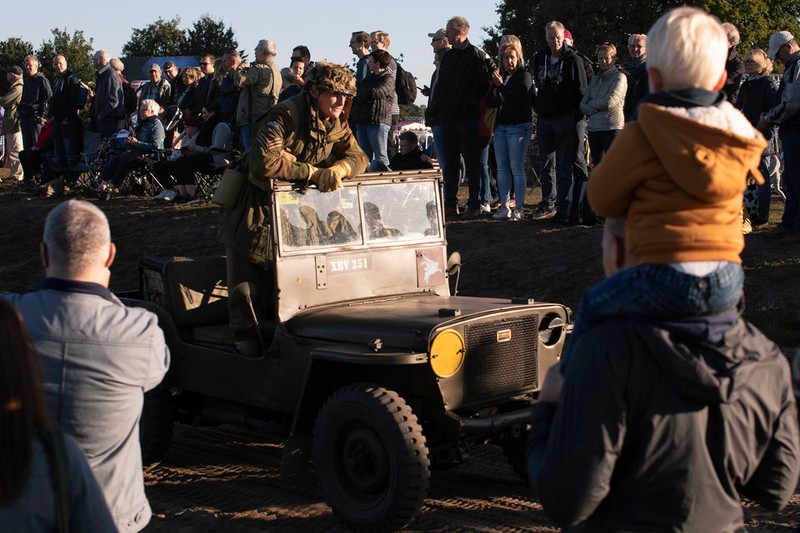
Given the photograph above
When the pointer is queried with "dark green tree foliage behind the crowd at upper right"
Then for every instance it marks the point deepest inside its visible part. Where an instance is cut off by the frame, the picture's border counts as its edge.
(592, 23)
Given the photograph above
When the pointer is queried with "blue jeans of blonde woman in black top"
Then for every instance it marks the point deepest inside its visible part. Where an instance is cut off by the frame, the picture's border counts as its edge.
(510, 148)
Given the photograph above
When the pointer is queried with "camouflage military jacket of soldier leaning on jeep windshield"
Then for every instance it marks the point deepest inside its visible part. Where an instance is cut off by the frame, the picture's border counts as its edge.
(292, 138)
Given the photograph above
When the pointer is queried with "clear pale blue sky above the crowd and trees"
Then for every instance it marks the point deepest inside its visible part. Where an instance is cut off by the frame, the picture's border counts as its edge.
(323, 26)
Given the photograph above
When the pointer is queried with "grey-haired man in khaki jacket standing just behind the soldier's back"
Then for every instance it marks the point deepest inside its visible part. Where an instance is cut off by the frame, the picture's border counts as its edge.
(259, 86)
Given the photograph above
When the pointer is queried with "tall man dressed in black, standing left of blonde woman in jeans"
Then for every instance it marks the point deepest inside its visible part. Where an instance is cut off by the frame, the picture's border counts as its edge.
(462, 80)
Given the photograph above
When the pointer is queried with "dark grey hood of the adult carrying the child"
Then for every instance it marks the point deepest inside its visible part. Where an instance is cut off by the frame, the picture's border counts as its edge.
(710, 372)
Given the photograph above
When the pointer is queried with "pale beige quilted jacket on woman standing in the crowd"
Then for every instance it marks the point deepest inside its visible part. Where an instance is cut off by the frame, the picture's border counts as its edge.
(604, 100)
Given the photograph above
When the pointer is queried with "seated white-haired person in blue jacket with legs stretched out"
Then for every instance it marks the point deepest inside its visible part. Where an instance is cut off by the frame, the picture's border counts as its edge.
(149, 136)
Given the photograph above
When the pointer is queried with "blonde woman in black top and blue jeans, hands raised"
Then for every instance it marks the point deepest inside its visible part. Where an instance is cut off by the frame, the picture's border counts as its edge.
(512, 131)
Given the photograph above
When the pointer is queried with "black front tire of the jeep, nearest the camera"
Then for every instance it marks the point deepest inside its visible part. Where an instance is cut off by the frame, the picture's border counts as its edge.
(371, 458)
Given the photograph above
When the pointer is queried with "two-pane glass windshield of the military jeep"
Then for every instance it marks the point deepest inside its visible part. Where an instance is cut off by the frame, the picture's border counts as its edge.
(360, 214)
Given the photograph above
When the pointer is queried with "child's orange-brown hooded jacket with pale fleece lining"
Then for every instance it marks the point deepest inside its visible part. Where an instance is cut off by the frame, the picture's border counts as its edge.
(678, 174)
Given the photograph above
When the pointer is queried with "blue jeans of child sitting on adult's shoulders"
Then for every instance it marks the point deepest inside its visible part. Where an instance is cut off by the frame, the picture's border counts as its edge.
(656, 291)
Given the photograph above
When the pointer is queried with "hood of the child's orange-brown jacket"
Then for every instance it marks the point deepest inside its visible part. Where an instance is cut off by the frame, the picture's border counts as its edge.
(707, 150)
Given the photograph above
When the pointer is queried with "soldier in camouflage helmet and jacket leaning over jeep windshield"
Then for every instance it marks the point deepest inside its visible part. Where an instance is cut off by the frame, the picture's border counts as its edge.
(304, 139)
